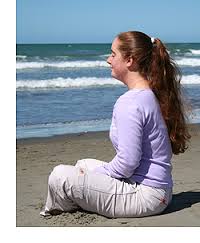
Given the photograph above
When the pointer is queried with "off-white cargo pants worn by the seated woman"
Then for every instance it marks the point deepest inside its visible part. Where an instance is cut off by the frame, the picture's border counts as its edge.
(74, 187)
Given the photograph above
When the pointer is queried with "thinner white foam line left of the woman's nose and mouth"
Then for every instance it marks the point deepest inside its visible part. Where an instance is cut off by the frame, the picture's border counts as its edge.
(68, 64)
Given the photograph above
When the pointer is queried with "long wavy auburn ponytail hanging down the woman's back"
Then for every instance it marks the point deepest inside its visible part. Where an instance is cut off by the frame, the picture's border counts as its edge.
(164, 80)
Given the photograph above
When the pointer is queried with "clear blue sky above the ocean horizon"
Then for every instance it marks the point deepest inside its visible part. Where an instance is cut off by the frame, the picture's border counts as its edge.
(98, 21)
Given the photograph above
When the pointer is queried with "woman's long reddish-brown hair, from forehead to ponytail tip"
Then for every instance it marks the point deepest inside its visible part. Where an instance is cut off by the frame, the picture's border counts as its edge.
(154, 63)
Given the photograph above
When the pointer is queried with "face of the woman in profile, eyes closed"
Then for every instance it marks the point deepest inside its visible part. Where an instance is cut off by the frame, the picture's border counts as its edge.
(117, 62)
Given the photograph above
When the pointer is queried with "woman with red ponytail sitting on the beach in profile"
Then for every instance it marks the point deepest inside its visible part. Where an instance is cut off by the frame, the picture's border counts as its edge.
(148, 125)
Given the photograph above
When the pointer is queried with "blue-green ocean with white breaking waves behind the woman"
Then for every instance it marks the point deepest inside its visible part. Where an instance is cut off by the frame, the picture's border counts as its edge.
(68, 88)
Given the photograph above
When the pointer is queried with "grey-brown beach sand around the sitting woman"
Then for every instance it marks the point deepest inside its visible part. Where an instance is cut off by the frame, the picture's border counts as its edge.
(37, 157)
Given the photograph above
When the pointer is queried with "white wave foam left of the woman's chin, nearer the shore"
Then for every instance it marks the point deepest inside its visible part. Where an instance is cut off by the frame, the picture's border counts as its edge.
(65, 83)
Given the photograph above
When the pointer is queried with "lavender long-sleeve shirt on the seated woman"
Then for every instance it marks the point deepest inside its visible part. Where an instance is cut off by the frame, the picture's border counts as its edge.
(140, 138)
